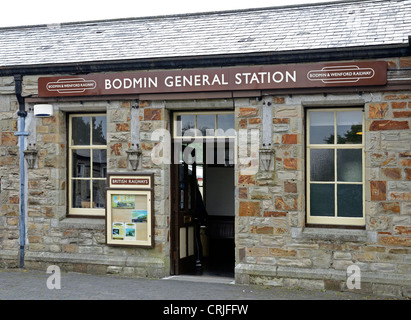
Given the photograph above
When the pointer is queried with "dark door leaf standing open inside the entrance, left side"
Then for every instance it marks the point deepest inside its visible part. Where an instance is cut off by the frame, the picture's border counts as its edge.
(185, 240)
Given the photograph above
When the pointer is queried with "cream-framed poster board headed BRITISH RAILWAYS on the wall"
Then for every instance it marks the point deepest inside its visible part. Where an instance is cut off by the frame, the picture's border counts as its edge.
(129, 210)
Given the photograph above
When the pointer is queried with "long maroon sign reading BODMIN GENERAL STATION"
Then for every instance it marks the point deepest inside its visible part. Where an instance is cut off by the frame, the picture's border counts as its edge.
(217, 79)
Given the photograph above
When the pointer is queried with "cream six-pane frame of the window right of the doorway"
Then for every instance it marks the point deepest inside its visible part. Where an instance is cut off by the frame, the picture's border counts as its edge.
(322, 220)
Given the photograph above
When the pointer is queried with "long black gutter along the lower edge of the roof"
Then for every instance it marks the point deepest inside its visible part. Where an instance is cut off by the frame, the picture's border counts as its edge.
(224, 60)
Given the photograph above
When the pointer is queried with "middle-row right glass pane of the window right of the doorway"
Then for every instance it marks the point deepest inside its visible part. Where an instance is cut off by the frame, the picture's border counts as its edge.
(349, 165)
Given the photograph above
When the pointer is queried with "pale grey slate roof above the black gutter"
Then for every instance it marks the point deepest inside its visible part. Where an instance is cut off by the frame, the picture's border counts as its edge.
(322, 26)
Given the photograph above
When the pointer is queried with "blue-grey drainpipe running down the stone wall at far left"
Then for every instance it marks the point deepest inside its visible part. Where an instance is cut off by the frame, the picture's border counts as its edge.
(21, 134)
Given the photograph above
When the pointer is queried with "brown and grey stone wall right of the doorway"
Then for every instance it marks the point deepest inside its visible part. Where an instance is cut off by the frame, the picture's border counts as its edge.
(273, 244)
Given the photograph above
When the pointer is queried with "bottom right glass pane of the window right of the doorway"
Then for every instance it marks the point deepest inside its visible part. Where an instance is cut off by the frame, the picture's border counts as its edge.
(349, 200)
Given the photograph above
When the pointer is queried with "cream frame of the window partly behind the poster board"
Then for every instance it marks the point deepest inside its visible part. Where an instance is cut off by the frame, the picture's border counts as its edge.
(94, 212)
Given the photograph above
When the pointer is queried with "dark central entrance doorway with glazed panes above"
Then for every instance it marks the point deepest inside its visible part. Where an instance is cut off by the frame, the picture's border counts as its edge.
(202, 203)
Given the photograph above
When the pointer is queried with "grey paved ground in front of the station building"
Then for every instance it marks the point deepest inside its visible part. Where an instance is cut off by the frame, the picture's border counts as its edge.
(21, 284)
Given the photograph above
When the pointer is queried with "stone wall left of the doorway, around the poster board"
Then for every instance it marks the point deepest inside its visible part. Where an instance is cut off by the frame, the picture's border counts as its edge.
(77, 243)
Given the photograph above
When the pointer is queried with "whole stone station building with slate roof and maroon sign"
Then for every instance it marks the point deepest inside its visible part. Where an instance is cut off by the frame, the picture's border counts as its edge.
(291, 125)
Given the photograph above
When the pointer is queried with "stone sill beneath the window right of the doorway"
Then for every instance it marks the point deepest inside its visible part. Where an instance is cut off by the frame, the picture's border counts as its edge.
(346, 235)
